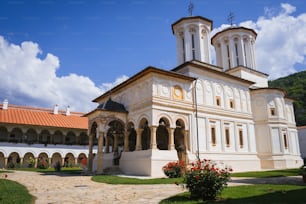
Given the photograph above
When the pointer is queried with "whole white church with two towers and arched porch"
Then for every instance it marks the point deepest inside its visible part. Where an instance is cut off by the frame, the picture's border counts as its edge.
(224, 112)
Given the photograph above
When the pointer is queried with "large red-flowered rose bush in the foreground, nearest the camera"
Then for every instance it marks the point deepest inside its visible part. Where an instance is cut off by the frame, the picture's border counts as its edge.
(206, 180)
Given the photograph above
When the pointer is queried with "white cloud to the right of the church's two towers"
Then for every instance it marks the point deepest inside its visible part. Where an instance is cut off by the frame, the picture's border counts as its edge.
(281, 41)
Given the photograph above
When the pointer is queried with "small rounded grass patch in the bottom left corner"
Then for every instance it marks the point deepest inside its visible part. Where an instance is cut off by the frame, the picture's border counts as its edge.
(13, 192)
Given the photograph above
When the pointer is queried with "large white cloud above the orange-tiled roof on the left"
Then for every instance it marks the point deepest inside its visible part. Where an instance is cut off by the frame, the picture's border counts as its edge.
(26, 79)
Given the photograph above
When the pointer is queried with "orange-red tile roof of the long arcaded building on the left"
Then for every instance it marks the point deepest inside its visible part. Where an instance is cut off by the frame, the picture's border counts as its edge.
(42, 117)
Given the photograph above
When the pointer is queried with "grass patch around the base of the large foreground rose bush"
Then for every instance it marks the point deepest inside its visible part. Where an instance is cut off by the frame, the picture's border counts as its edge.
(263, 193)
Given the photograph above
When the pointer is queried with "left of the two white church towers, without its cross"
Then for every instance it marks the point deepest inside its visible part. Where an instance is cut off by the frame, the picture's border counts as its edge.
(192, 39)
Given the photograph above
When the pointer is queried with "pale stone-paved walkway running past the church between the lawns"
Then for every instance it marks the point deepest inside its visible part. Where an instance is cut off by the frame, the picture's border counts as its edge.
(57, 189)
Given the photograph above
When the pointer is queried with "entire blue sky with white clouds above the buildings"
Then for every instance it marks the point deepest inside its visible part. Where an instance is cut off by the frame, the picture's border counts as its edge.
(53, 49)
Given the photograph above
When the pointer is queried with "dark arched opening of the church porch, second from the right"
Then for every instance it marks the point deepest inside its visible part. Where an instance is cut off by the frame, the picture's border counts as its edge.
(162, 134)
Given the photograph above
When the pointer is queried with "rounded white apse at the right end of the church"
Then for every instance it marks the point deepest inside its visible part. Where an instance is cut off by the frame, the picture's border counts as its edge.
(276, 134)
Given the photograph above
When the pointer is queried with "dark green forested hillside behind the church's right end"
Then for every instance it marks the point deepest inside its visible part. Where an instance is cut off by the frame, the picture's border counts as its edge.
(295, 85)
